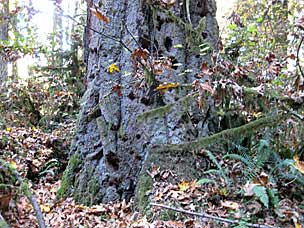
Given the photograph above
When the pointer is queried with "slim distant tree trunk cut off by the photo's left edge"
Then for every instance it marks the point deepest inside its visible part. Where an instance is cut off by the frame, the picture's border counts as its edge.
(4, 16)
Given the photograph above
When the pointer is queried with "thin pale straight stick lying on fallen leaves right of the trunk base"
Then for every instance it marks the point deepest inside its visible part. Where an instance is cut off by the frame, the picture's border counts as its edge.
(204, 215)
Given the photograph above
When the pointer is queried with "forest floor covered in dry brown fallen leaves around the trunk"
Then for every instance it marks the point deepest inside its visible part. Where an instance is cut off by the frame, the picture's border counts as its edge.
(41, 158)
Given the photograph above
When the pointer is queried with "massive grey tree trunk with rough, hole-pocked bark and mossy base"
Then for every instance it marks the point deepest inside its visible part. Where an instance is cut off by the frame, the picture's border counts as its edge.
(112, 149)
